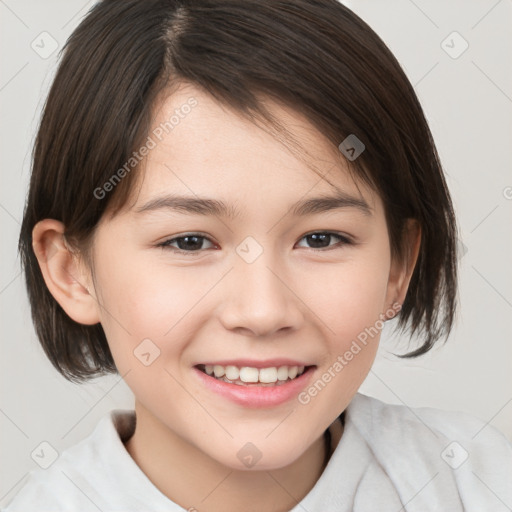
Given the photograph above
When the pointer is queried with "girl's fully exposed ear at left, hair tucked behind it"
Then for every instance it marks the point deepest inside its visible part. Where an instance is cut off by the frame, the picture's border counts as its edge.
(64, 272)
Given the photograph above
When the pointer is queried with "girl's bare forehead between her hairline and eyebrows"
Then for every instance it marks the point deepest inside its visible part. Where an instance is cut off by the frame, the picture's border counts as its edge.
(200, 148)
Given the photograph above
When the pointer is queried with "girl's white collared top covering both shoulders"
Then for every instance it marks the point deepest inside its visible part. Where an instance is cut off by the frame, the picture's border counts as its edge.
(390, 458)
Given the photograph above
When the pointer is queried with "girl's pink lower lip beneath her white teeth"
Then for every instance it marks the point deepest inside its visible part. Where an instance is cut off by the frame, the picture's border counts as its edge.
(257, 396)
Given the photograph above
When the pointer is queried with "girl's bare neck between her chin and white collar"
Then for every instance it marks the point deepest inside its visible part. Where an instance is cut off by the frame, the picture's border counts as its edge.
(190, 478)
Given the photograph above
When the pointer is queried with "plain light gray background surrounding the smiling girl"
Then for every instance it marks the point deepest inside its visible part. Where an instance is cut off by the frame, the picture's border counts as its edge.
(468, 102)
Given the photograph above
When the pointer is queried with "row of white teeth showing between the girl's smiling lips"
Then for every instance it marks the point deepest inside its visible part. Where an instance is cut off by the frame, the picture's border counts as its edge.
(272, 376)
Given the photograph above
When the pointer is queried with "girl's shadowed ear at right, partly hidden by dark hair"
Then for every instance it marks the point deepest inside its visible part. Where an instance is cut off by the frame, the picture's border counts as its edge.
(401, 271)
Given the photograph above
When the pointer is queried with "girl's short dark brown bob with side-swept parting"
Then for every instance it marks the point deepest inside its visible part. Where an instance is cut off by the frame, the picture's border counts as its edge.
(314, 56)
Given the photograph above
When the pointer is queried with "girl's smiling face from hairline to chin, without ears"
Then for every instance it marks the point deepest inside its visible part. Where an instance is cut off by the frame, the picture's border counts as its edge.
(259, 285)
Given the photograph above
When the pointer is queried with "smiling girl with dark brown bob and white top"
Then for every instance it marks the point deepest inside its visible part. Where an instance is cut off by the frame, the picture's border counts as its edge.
(228, 200)
